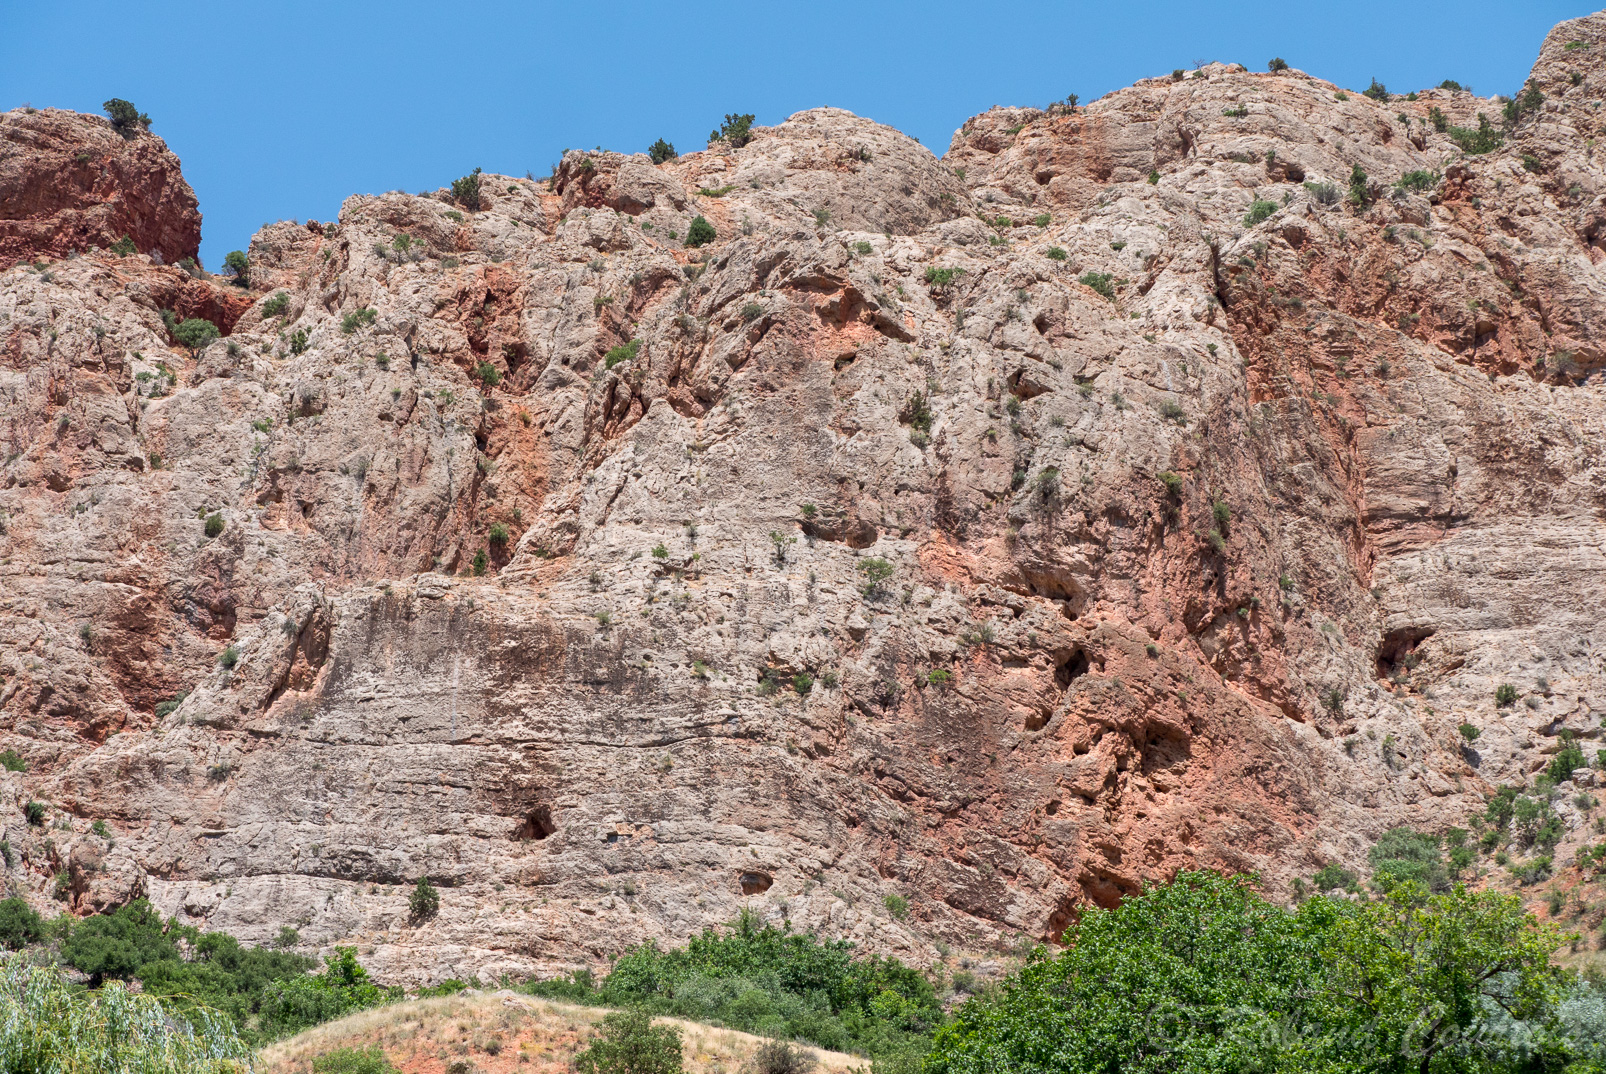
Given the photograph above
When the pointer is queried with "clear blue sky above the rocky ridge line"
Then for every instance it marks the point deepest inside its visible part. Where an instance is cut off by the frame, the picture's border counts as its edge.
(282, 110)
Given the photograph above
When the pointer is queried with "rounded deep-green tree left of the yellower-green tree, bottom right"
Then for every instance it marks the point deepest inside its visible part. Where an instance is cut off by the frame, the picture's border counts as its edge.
(1192, 977)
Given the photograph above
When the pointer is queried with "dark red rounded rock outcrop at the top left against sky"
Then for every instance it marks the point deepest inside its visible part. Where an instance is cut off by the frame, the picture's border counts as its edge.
(73, 182)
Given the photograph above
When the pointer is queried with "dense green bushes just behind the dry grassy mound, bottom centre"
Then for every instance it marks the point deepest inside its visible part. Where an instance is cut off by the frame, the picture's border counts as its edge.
(773, 983)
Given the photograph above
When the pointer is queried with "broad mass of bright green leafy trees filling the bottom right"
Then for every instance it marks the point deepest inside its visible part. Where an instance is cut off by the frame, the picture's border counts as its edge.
(1205, 975)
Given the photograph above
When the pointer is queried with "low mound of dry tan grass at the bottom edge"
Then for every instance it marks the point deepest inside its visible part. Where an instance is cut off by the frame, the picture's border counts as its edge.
(505, 1033)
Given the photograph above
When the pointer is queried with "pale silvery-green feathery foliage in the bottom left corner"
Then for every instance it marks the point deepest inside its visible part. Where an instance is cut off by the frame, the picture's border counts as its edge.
(49, 1027)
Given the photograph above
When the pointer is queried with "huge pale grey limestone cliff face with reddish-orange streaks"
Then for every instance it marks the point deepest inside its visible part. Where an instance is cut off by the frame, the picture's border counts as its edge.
(1210, 503)
